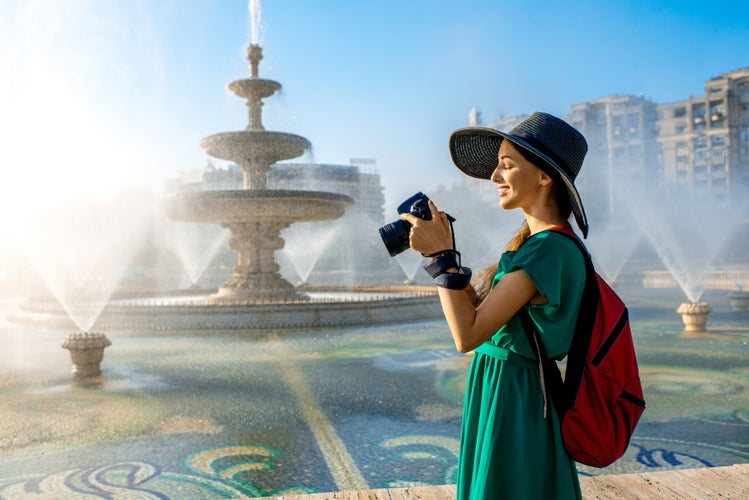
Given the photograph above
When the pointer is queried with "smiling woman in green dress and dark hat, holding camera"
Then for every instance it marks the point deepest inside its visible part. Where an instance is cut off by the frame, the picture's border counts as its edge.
(508, 449)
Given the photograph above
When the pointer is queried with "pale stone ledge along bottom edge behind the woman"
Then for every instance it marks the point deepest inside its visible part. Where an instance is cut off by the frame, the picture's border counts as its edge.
(716, 482)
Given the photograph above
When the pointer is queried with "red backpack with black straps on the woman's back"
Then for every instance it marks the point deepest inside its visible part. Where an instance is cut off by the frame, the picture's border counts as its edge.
(600, 399)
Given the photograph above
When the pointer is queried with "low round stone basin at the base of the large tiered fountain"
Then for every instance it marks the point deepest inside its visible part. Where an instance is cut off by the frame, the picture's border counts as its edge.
(180, 311)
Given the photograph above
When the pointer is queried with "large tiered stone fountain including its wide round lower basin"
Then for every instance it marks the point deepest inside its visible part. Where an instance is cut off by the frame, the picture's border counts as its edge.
(256, 297)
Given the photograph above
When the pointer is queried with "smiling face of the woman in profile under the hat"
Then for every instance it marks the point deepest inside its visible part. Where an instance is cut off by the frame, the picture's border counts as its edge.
(518, 180)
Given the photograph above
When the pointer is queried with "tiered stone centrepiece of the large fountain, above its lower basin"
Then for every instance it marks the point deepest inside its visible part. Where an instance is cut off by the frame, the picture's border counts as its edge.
(256, 215)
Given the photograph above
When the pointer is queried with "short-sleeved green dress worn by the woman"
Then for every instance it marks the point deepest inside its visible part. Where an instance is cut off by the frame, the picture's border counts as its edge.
(507, 449)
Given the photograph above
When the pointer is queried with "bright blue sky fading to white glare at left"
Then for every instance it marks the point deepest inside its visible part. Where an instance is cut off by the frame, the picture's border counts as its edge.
(96, 95)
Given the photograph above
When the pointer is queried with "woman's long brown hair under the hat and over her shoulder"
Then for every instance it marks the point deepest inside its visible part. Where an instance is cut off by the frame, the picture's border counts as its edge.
(485, 277)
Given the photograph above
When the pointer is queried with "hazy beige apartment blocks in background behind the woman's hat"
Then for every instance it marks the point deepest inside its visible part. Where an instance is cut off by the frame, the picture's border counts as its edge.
(699, 145)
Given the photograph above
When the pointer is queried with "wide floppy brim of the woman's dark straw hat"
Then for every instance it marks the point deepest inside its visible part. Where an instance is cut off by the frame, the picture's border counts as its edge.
(474, 151)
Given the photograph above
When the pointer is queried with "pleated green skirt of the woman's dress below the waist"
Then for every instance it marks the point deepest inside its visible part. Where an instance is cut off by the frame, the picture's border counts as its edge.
(508, 449)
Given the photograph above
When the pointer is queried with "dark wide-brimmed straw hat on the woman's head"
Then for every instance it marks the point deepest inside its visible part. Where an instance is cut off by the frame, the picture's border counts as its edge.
(555, 142)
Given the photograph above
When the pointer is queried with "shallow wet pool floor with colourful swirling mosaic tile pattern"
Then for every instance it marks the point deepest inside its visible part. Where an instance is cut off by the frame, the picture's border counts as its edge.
(223, 415)
